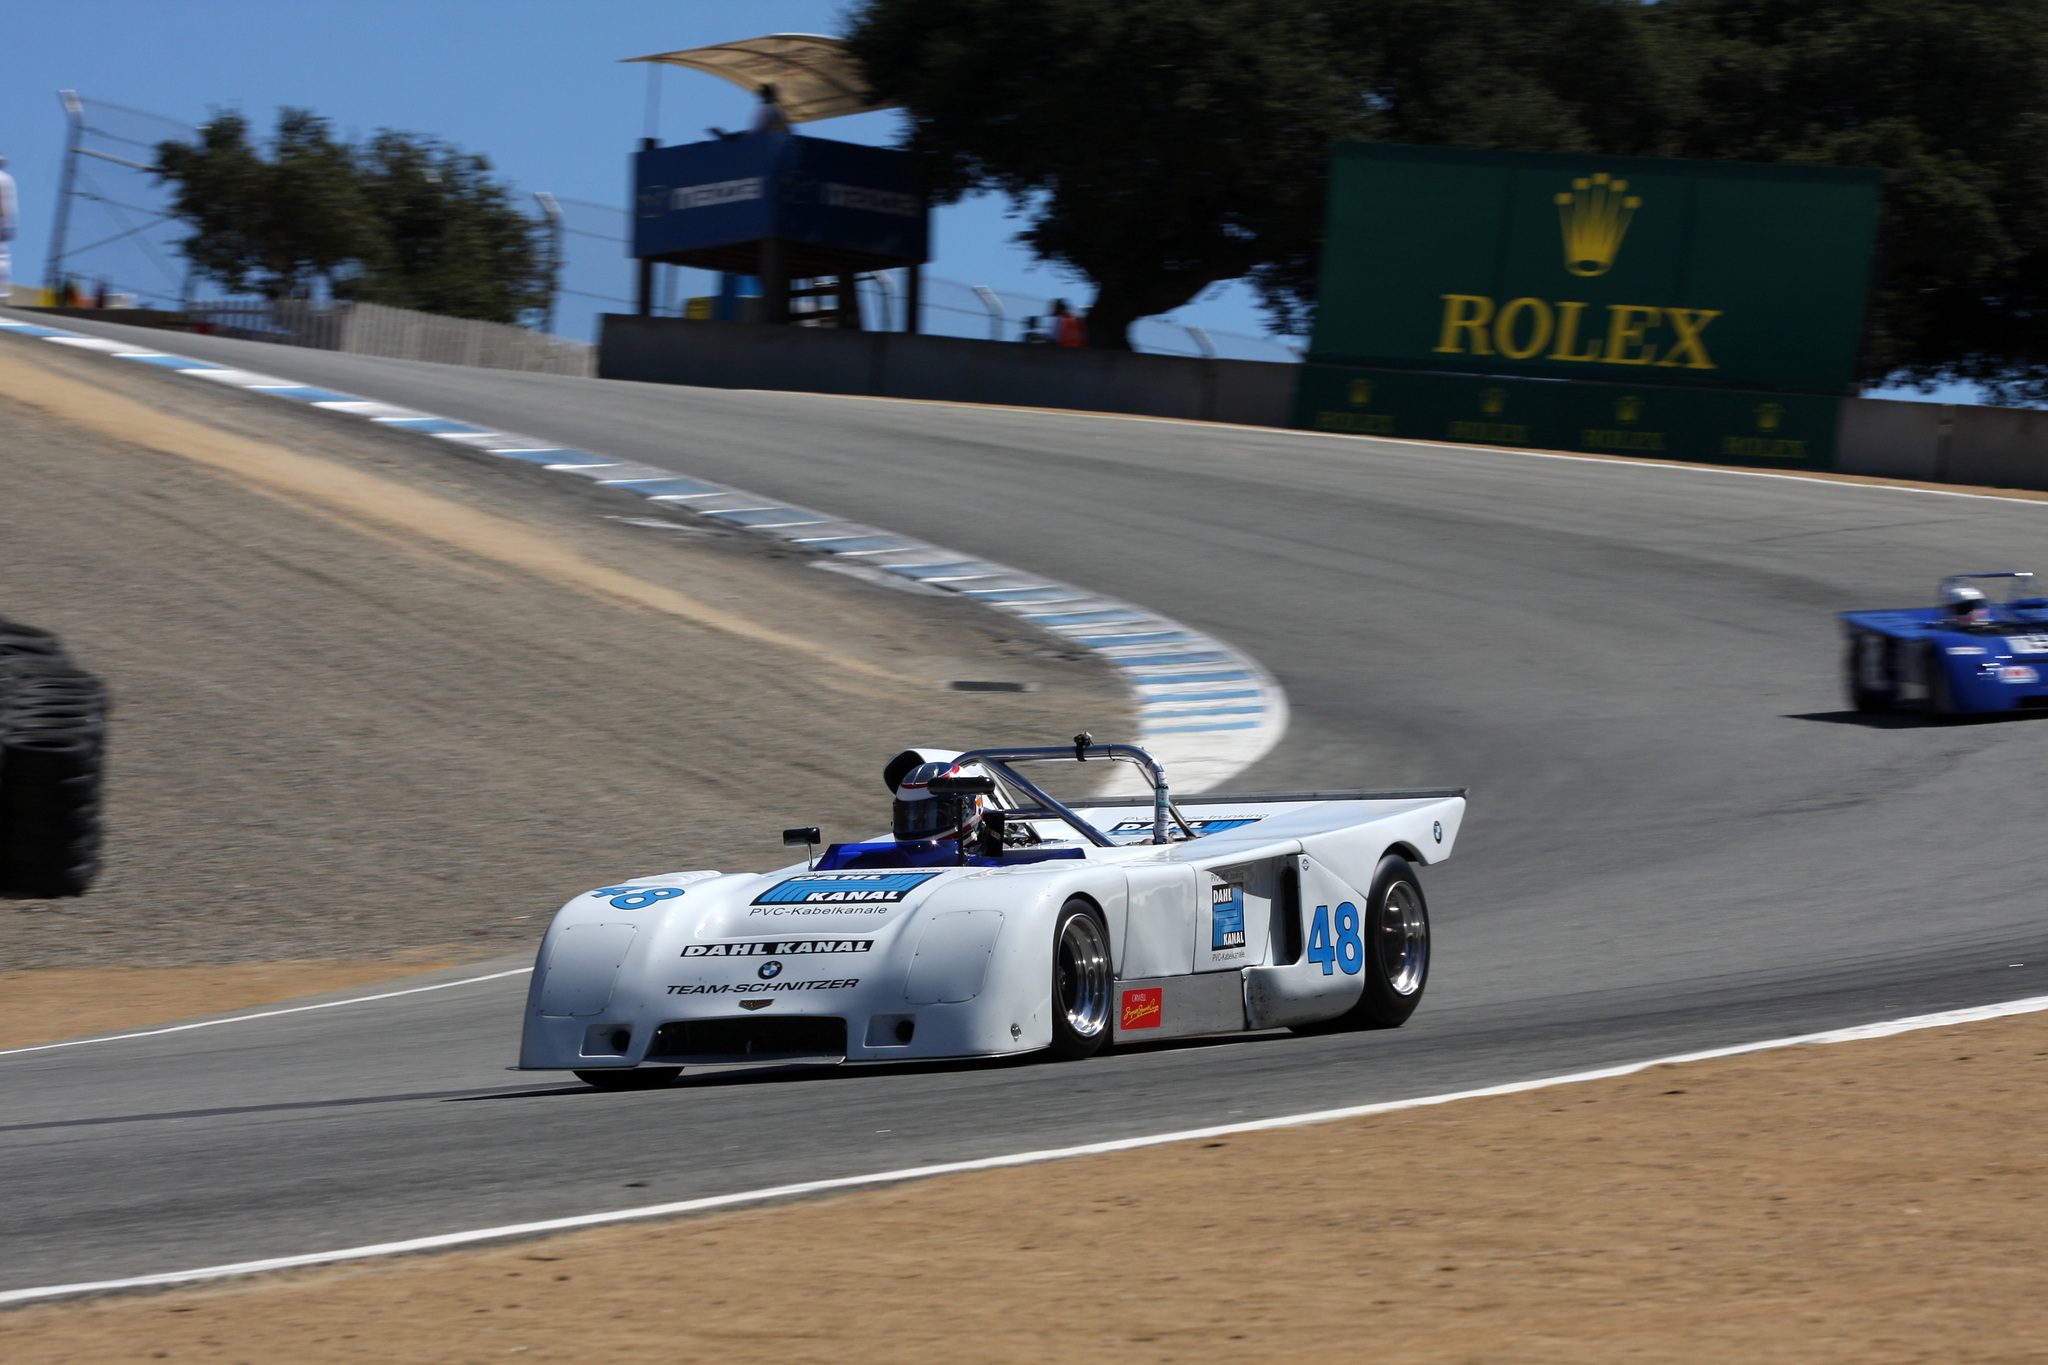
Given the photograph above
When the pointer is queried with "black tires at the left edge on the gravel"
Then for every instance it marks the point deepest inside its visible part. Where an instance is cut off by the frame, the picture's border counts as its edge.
(52, 750)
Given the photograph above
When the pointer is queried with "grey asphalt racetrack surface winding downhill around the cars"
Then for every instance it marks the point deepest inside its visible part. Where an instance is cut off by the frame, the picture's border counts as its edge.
(1678, 838)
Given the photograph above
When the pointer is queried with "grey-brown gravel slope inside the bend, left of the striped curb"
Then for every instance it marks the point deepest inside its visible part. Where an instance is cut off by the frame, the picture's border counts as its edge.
(378, 695)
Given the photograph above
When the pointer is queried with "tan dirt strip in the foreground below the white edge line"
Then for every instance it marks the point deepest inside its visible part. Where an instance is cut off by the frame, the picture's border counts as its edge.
(1854, 1202)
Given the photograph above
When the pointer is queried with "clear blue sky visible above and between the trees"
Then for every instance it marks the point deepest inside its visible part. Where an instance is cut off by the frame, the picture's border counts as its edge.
(534, 85)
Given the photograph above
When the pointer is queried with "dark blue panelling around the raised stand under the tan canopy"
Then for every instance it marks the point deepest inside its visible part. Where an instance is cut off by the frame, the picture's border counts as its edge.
(828, 195)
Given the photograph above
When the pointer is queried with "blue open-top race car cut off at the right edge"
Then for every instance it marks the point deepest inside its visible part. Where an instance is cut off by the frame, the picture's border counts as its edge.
(1961, 658)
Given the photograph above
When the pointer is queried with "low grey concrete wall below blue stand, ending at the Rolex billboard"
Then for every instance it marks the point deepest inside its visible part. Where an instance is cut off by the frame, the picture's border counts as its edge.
(671, 351)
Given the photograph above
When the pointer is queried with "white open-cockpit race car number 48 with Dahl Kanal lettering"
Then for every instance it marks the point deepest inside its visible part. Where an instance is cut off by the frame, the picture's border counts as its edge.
(998, 920)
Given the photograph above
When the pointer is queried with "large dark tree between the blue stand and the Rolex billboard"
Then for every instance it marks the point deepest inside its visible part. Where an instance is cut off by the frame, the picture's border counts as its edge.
(1154, 144)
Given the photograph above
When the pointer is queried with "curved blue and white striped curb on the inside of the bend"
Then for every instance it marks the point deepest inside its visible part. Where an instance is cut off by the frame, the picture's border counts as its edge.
(1205, 709)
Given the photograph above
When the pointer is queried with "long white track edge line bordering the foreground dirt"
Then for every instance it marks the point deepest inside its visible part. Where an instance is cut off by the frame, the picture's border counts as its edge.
(1017, 1159)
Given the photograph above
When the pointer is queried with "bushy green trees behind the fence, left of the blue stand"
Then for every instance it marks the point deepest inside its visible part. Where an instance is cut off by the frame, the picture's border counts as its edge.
(400, 220)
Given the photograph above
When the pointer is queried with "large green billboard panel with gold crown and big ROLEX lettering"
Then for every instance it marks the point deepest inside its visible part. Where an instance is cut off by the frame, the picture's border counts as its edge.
(1629, 271)
